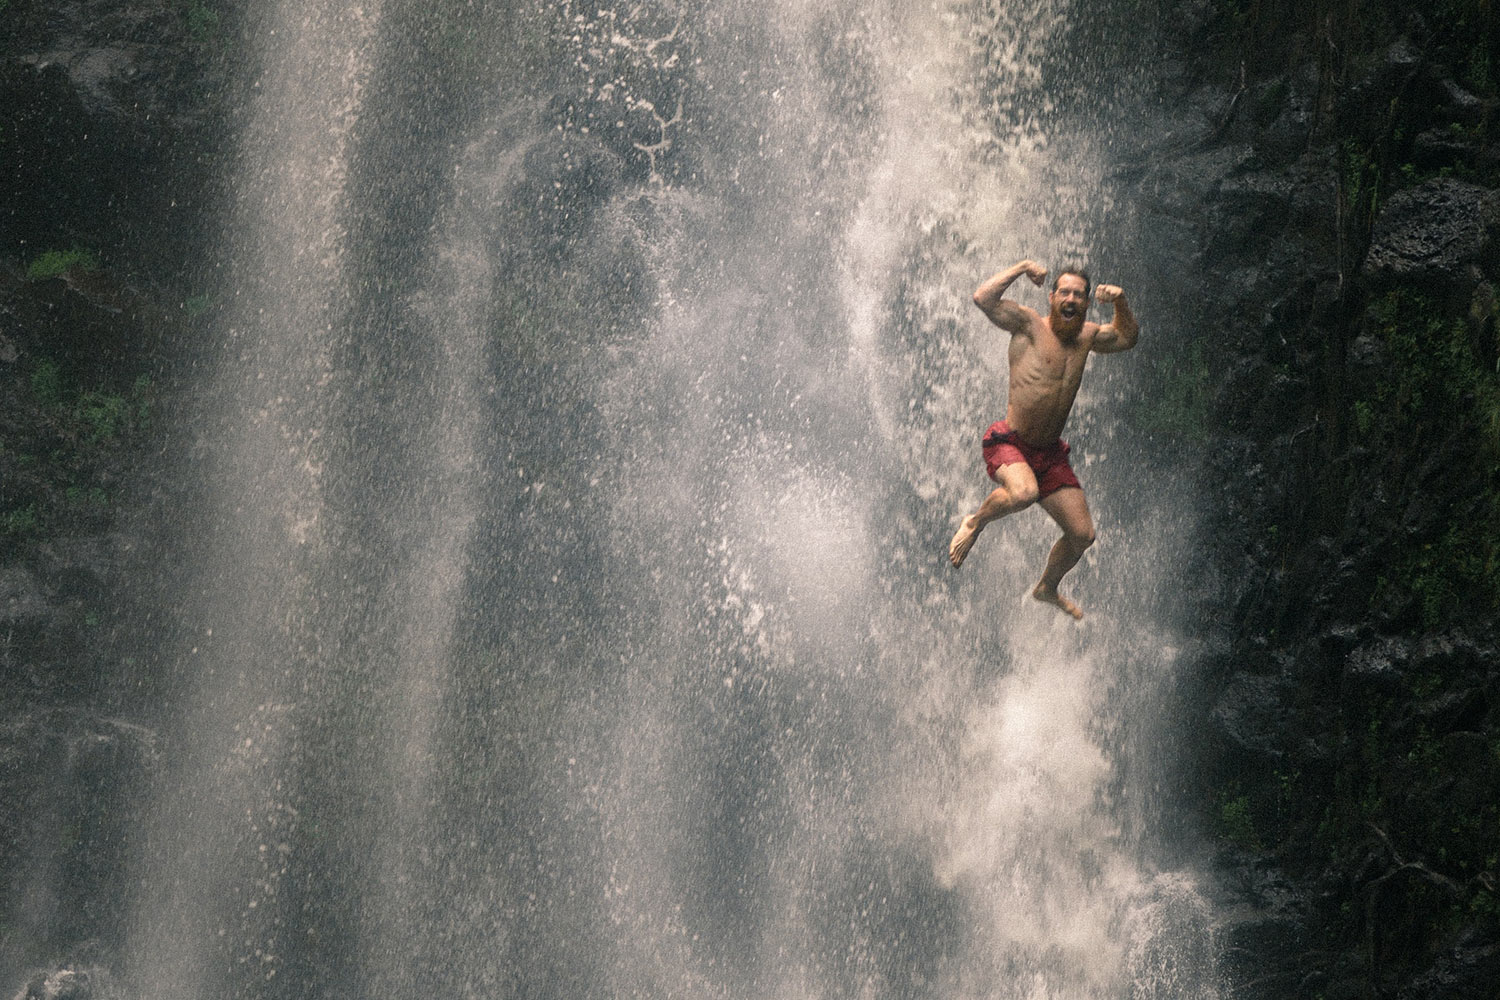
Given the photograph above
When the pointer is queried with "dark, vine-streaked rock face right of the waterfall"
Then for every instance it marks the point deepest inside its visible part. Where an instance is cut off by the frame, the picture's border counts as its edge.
(1346, 722)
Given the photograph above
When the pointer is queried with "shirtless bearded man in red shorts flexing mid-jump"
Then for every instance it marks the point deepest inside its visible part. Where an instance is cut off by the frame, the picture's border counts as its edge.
(1025, 454)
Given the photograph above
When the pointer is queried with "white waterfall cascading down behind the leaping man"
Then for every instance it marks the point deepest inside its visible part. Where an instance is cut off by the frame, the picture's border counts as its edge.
(598, 395)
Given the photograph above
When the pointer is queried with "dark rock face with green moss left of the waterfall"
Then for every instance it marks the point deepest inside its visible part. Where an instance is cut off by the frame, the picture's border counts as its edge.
(106, 146)
